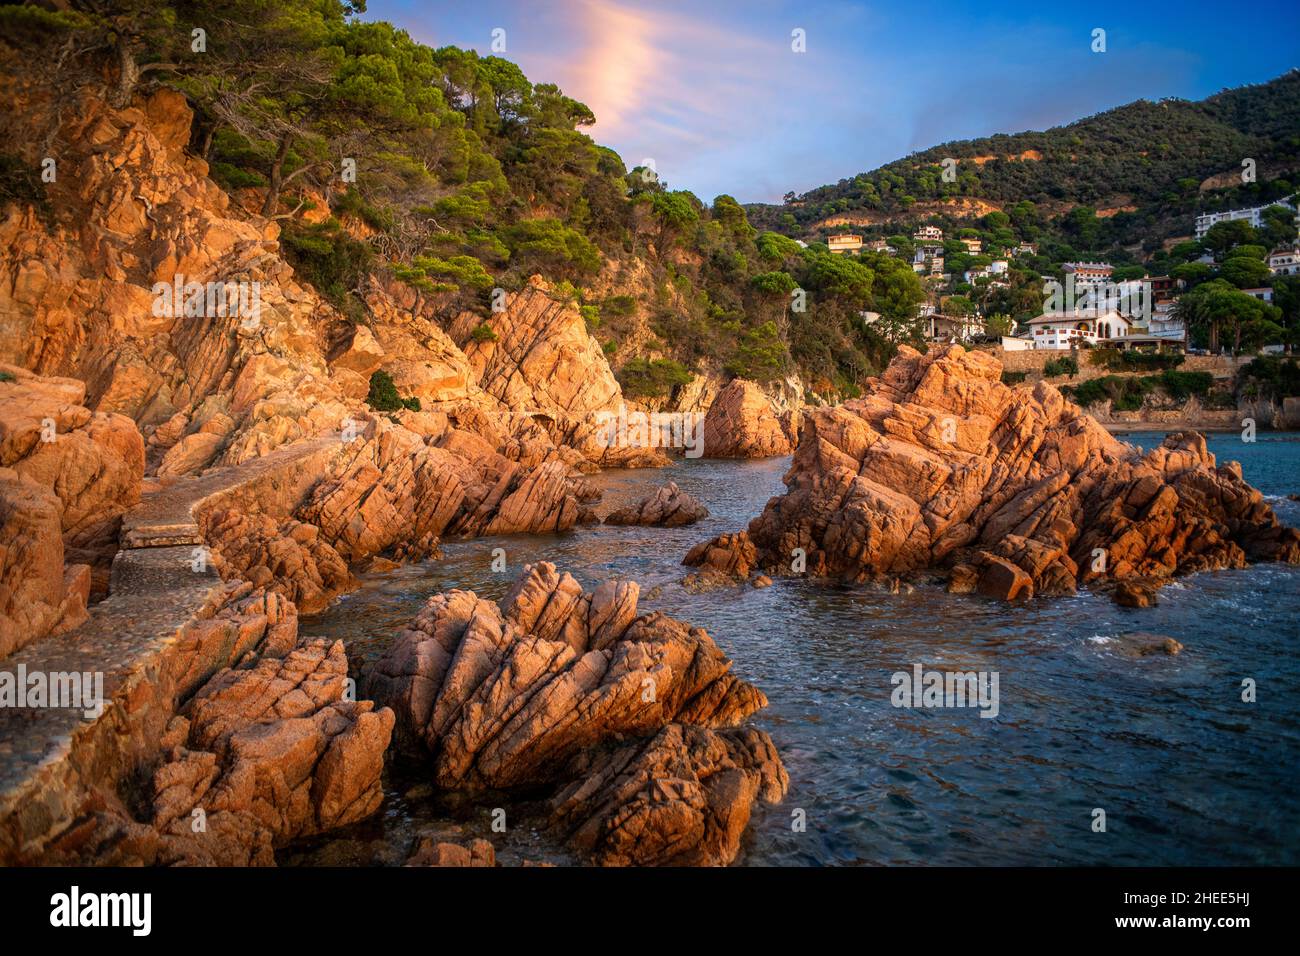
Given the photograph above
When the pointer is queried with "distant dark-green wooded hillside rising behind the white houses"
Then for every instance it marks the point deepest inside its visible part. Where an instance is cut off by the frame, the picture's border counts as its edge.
(1143, 170)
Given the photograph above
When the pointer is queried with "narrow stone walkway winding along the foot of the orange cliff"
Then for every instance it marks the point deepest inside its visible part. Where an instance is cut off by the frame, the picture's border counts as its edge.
(150, 641)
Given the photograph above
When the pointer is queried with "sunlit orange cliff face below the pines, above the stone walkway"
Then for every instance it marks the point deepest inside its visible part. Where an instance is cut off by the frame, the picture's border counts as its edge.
(92, 299)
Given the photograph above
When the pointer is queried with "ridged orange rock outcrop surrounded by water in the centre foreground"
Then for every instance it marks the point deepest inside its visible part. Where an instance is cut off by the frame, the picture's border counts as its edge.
(547, 687)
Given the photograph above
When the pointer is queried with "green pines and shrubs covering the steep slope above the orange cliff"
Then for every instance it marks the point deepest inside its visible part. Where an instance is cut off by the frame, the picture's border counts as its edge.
(457, 175)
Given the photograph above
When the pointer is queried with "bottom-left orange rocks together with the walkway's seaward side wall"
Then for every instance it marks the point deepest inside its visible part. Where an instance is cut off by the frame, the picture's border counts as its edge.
(233, 741)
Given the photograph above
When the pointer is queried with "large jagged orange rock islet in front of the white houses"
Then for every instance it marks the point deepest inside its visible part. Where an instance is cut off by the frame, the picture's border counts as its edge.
(1016, 492)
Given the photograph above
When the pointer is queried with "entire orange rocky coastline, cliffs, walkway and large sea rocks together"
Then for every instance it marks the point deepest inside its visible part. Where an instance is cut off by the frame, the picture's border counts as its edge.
(175, 494)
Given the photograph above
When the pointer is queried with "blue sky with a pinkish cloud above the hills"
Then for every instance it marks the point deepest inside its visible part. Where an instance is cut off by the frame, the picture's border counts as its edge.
(716, 96)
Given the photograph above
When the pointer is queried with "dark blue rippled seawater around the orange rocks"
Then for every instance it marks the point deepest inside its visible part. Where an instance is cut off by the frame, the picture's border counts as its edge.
(1185, 771)
